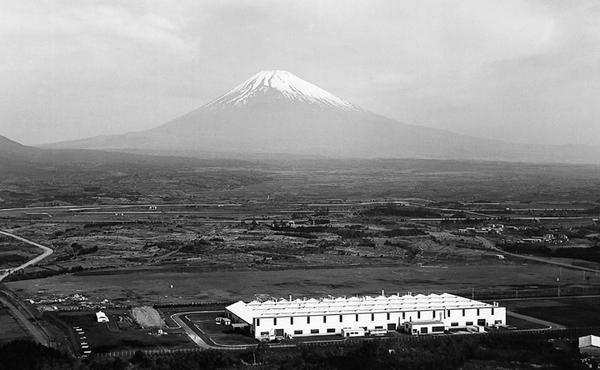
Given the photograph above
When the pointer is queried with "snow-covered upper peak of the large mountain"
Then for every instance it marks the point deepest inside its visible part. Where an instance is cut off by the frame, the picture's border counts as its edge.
(284, 84)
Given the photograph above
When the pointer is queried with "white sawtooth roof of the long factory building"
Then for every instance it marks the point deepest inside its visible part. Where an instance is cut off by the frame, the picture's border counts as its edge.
(352, 305)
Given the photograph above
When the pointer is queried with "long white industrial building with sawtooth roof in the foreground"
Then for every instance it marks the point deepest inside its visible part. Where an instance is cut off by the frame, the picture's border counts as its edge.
(419, 314)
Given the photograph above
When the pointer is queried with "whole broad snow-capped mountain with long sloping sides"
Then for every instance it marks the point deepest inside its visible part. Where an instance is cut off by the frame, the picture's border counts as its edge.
(277, 112)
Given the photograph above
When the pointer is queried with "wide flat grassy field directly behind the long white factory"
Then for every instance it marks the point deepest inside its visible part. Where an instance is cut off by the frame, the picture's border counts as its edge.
(164, 285)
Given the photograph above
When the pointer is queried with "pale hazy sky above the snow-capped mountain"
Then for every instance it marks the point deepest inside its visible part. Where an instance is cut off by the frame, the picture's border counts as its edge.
(526, 71)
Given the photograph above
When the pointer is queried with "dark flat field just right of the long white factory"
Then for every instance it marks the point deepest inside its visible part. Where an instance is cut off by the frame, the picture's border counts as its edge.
(571, 312)
